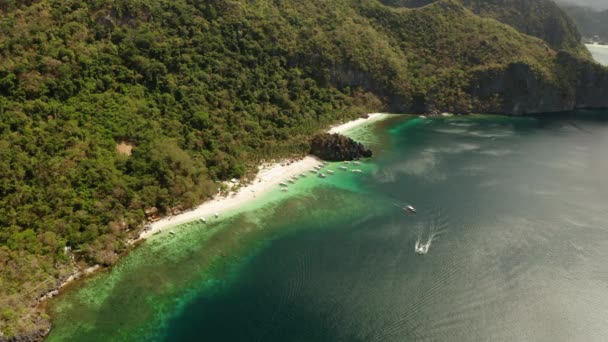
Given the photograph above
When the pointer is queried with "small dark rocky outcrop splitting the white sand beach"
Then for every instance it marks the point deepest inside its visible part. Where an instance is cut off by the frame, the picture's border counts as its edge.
(336, 147)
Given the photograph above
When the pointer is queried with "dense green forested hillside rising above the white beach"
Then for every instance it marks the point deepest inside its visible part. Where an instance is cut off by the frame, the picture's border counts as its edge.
(110, 107)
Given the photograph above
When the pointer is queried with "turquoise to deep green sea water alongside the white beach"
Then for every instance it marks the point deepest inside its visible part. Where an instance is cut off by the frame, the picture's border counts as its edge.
(516, 208)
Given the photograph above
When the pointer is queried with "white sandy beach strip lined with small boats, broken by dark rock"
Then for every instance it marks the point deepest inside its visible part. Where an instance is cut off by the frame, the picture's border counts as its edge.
(268, 178)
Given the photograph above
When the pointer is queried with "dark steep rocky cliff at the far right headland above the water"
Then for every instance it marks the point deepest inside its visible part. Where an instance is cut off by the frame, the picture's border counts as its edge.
(519, 89)
